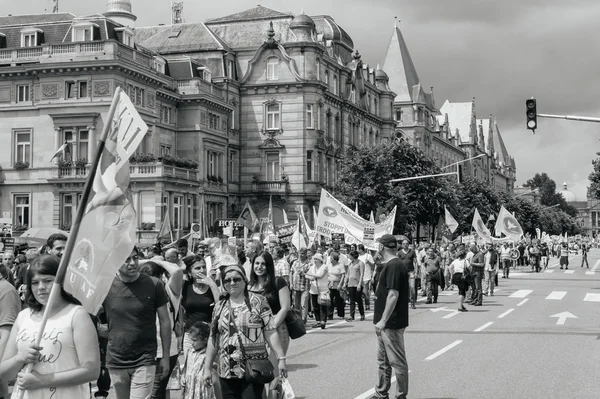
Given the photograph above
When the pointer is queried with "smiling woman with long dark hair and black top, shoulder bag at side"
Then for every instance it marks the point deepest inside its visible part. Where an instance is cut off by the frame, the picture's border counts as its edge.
(277, 292)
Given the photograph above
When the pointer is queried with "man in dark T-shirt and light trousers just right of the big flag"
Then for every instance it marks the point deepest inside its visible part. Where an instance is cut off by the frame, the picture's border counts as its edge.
(132, 305)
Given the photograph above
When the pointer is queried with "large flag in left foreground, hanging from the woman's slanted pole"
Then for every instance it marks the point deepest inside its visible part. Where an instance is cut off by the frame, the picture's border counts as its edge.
(107, 232)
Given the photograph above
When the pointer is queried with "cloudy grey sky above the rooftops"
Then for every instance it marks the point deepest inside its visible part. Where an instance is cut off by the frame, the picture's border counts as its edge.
(500, 52)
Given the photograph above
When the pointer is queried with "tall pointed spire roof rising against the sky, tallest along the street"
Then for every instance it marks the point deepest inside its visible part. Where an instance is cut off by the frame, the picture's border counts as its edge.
(400, 68)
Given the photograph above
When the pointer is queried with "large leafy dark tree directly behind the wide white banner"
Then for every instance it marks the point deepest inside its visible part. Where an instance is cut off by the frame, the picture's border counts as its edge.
(365, 175)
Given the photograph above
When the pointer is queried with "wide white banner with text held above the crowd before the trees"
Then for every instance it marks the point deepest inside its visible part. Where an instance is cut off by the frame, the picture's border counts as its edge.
(335, 217)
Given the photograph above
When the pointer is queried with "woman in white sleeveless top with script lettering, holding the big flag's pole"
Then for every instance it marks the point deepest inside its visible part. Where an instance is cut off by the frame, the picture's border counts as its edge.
(70, 341)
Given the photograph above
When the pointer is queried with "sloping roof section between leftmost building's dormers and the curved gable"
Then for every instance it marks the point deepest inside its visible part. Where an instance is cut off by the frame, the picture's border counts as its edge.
(179, 38)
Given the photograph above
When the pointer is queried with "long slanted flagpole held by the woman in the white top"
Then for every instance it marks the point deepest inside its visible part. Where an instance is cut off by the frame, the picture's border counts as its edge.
(66, 257)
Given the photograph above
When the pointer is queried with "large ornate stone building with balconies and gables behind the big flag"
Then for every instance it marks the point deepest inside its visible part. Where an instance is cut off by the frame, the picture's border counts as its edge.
(244, 107)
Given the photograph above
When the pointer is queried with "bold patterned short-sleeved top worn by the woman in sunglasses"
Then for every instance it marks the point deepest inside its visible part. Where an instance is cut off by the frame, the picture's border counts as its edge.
(251, 323)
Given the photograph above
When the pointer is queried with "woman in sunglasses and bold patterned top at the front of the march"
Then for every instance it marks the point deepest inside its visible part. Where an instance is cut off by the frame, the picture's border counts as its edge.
(242, 323)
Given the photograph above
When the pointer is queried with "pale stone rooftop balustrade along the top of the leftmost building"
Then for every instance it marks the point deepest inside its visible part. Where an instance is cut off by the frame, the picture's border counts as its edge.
(80, 51)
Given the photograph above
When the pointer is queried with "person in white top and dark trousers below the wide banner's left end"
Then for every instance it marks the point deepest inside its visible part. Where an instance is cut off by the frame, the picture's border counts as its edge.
(319, 290)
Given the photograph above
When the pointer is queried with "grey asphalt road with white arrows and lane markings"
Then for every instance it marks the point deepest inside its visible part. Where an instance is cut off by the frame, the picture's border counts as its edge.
(515, 346)
